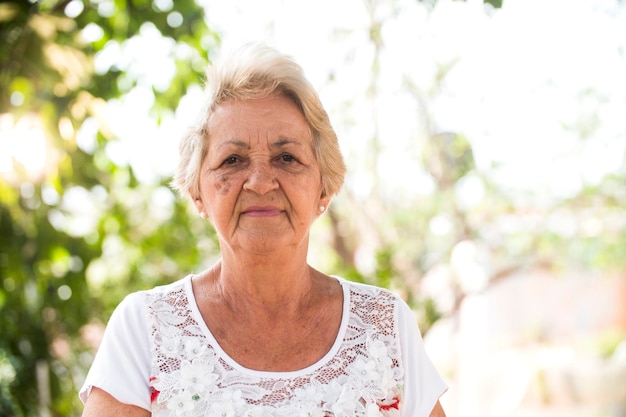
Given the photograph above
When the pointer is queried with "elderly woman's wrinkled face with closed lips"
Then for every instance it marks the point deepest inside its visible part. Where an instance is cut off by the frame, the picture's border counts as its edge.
(260, 183)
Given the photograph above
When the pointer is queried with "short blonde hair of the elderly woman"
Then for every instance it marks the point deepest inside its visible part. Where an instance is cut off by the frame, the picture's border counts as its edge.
(253, 72)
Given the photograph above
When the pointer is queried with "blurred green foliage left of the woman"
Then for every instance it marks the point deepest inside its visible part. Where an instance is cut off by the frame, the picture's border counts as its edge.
(58, 281)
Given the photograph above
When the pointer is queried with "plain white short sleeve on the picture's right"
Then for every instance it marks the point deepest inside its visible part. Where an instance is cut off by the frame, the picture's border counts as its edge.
(422, 383)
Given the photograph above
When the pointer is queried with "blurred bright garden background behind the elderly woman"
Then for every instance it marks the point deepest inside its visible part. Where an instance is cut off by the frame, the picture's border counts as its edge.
(485, 143)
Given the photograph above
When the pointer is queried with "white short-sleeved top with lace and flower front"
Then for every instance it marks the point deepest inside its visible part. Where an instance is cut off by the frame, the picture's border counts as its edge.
(158, 354)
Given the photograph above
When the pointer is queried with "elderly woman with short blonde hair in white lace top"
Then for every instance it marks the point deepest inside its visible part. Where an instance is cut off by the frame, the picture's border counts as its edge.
(262, 333)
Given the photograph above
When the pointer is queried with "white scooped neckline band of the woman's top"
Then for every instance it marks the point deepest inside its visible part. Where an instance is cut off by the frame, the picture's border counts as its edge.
(195, 312)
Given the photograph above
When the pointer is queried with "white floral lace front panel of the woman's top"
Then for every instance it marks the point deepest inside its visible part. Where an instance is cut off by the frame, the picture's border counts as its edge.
(363, 379)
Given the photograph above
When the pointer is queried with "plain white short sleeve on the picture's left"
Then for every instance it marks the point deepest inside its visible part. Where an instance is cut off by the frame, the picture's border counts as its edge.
(121, 366)
